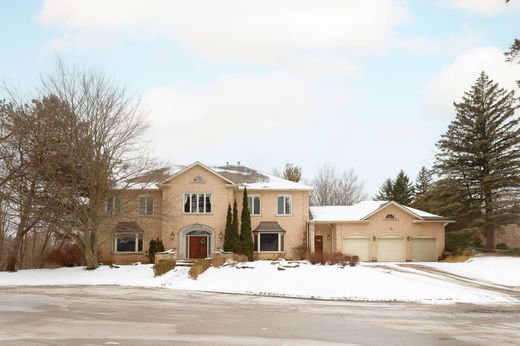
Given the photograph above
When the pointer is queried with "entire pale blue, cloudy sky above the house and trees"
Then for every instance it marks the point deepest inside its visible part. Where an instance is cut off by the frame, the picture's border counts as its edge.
(367, 85)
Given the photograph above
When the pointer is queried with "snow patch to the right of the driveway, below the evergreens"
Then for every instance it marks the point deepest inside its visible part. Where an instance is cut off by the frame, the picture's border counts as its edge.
(497, 270)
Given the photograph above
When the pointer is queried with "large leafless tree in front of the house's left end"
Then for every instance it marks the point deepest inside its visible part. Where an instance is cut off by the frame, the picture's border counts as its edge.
(97, 134)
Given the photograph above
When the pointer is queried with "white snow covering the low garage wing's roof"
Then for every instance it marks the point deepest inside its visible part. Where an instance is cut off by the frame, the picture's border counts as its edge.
(358, 212)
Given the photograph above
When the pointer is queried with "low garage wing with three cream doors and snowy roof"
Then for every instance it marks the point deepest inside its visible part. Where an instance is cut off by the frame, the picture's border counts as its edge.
(378, 231)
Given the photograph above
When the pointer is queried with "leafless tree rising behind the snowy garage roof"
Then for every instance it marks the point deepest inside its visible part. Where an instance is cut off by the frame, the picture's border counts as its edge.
(331, 188)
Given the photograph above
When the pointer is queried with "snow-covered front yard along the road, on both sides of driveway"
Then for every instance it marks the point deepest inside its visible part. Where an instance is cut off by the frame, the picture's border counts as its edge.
(365, 282)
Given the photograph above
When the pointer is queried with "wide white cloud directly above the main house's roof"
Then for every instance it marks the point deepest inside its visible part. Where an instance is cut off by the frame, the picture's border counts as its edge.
(234, 105)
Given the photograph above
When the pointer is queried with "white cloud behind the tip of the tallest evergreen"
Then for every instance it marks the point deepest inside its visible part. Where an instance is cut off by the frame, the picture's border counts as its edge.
(453, 80)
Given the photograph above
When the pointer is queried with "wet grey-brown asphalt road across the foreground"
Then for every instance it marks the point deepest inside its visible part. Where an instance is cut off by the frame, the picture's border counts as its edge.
(106, 315)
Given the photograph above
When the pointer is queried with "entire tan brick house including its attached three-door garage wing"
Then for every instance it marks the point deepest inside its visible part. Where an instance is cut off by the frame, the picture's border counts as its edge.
(186, 208)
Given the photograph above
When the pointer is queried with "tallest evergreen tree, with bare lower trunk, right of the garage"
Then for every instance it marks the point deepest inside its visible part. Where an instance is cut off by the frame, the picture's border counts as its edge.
(480, 152)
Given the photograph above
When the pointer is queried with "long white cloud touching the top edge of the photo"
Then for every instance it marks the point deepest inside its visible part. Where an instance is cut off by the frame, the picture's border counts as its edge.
(267, 31)
